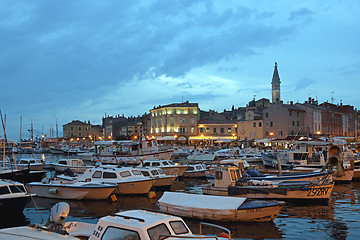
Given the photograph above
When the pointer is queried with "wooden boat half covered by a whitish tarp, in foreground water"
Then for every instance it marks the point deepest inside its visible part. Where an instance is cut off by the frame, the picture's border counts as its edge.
(219, 208)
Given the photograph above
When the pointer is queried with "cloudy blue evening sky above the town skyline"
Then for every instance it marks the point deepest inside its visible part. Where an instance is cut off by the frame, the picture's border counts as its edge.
(81, 60)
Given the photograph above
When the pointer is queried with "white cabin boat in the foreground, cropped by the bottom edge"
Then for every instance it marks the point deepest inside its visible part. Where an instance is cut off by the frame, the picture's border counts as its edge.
(135, 225)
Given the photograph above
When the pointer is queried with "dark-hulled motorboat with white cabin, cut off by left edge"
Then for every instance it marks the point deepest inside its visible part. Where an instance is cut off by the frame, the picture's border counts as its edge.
(13, 196)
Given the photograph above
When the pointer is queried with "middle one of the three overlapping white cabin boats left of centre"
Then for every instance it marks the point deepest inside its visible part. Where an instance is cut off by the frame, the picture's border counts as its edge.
(161, 179)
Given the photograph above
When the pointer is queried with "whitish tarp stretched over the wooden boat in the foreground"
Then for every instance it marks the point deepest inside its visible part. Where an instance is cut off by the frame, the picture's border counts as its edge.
(197, 201)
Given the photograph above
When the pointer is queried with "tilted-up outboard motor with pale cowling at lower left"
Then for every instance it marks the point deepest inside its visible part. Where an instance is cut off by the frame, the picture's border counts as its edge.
(58, 214)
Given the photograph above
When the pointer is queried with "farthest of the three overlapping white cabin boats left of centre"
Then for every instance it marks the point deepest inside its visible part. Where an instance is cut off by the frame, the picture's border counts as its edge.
(168, 166)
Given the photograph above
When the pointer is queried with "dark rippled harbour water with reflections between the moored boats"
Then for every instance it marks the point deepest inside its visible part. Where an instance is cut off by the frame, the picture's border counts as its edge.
(337, 219)
